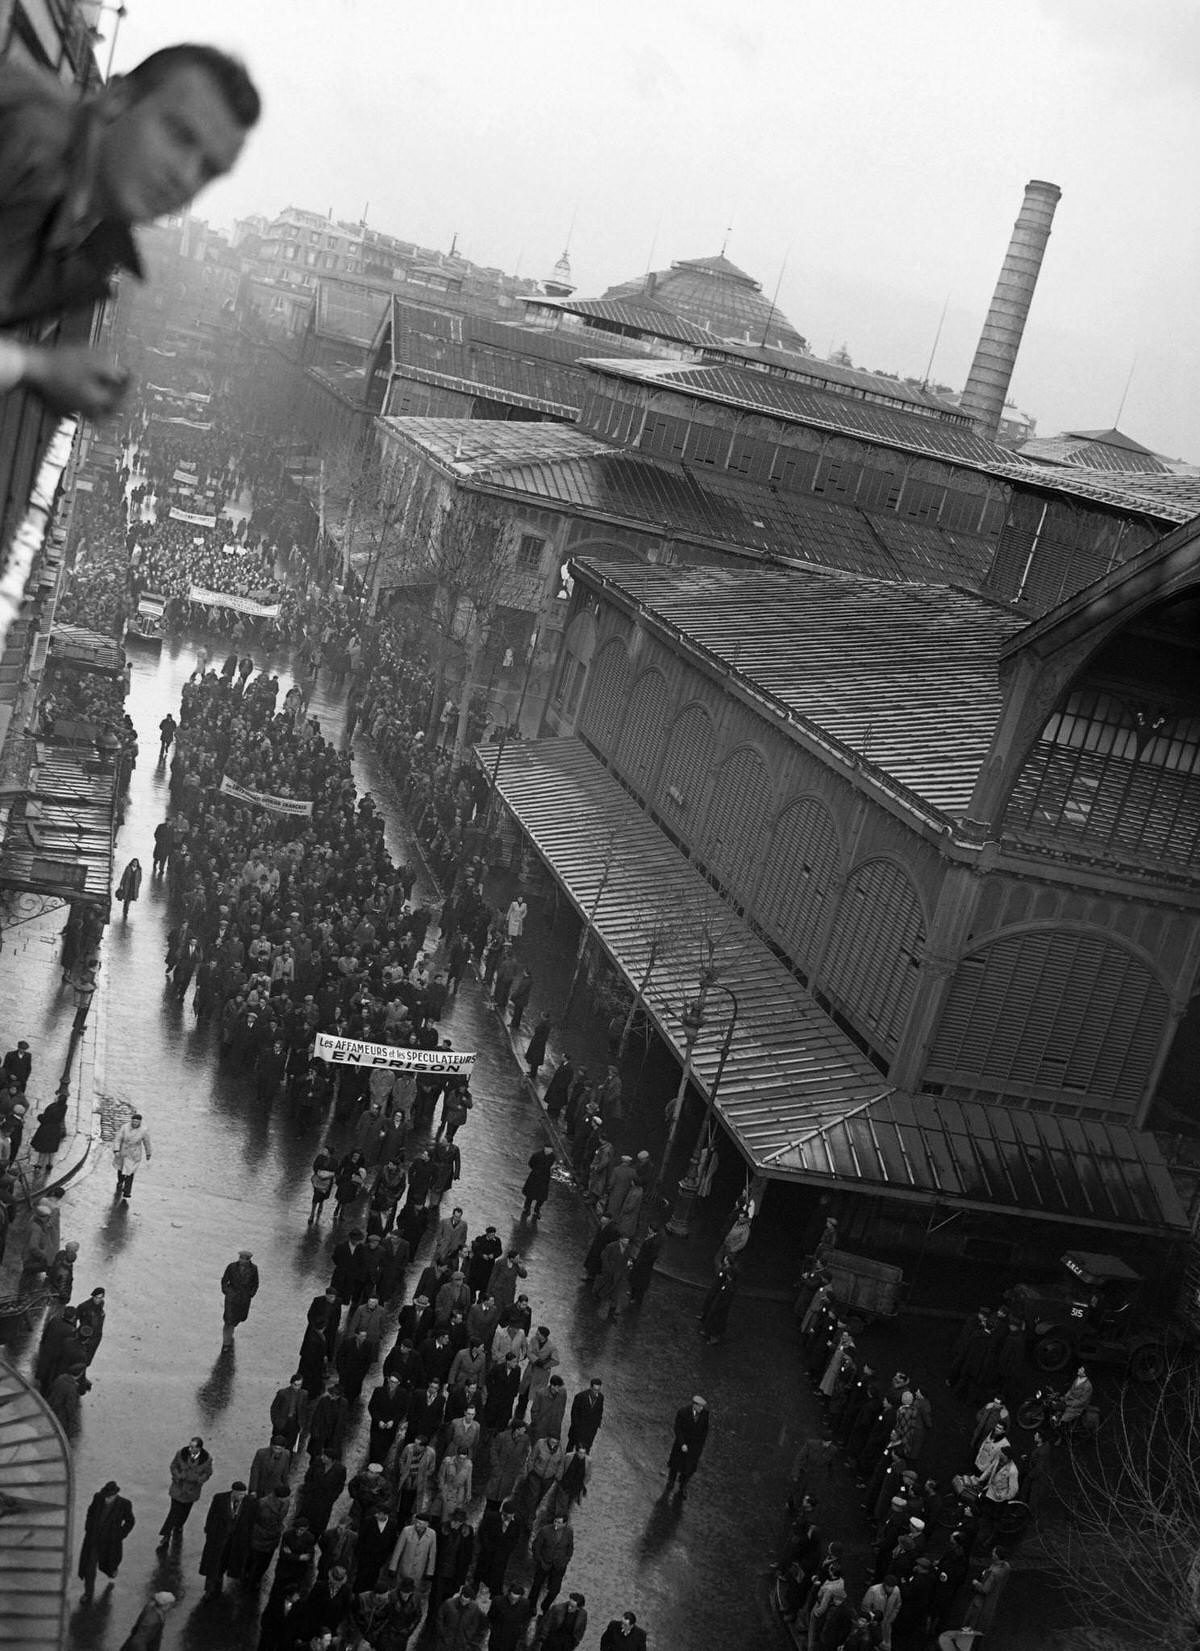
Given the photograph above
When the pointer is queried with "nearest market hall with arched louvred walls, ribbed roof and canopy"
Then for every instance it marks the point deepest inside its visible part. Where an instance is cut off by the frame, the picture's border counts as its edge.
(961, 849)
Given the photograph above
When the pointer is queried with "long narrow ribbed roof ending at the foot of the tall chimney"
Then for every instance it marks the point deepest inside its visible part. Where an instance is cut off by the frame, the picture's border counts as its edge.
(823, 410)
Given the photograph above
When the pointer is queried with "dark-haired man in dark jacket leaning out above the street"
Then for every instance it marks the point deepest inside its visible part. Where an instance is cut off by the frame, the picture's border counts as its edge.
(77, 174)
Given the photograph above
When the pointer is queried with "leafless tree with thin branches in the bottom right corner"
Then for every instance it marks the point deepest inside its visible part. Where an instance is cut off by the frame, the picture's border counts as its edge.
(1128, 1548)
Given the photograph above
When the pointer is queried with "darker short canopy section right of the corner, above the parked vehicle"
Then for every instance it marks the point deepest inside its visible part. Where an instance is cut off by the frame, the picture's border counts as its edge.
(988, 1157)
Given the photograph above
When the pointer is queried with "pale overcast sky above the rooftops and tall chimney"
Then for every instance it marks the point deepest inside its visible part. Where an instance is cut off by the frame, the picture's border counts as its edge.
(879, 149)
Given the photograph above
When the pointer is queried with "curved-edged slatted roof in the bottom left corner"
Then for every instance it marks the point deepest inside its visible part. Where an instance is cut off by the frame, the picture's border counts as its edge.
(35, 1530)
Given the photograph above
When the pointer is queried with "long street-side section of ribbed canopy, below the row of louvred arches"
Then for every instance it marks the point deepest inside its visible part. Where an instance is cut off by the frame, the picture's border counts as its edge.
(790, 1067)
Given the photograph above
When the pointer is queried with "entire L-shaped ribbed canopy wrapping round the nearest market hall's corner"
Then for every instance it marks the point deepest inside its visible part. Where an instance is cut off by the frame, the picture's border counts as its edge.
(798, 1095)
